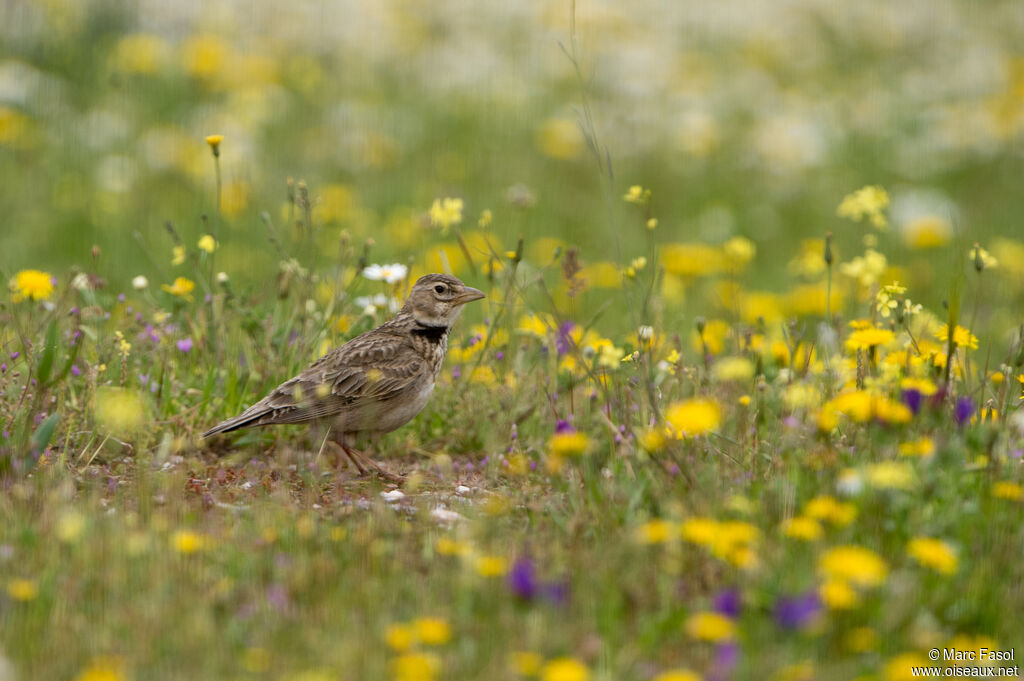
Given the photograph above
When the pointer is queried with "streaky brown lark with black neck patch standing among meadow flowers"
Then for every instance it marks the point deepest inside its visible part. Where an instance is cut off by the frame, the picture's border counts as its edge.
(374, 384)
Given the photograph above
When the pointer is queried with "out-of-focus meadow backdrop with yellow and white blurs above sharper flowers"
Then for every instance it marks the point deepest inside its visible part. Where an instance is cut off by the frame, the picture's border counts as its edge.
(744, 118)
